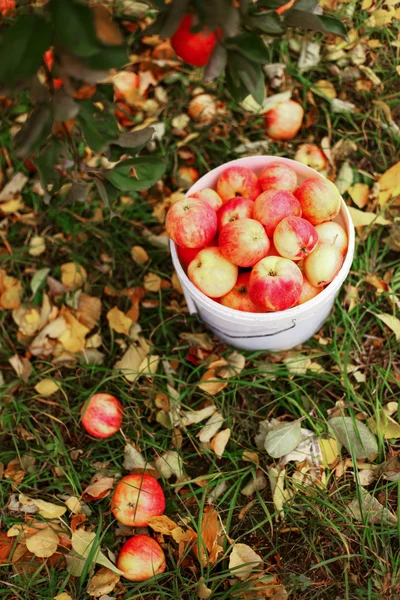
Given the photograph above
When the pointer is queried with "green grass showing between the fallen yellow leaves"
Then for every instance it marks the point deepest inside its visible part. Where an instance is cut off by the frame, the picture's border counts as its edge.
(318, 550)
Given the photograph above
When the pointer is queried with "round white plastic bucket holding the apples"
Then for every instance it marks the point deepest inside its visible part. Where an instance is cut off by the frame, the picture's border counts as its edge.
(274, 331)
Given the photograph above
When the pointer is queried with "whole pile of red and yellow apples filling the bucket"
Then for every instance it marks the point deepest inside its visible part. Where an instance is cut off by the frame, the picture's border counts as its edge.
(260, 243)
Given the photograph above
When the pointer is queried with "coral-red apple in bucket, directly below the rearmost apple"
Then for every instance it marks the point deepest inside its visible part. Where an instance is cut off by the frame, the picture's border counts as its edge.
(272, 206)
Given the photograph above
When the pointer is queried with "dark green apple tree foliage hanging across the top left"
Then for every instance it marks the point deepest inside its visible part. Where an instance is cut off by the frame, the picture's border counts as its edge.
(88, 47)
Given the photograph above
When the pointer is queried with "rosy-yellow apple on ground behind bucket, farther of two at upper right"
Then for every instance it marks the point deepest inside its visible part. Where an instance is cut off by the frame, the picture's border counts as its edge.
(284, 120)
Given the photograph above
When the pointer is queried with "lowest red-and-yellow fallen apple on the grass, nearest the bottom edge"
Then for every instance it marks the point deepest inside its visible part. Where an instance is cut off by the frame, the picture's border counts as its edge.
(140, 558)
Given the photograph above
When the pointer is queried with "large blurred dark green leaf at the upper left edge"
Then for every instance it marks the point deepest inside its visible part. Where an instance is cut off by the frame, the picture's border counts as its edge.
(22, 46)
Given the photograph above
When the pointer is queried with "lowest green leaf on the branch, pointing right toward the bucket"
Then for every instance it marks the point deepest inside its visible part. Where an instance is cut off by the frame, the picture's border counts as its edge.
(136, 174)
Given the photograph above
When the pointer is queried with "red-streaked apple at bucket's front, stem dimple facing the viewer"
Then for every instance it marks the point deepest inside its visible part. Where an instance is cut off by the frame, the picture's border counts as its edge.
(275, 283)
